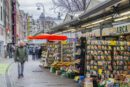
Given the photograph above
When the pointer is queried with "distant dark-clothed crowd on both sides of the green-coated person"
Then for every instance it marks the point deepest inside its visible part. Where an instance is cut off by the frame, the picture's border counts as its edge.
(35, 51)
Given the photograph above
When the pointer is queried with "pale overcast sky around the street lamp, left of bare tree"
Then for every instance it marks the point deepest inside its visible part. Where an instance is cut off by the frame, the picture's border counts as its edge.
(29, 6)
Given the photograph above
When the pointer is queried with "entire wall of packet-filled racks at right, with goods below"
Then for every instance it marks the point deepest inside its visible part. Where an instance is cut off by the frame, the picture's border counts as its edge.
(109, 61)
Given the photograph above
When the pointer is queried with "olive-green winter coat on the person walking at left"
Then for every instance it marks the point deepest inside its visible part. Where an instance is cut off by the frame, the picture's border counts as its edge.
(21, 54)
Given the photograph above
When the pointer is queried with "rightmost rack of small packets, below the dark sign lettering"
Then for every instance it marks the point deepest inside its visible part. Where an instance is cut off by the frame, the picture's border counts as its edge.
(121, 58)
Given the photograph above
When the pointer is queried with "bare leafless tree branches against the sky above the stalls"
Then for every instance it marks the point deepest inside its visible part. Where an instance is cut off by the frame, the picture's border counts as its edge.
(71, 5)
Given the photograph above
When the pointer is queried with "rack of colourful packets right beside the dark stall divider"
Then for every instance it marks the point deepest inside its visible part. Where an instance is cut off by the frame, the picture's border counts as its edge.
(99, 58)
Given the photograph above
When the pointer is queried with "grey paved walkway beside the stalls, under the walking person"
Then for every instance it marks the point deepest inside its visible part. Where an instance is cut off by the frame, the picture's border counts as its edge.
(34, 76)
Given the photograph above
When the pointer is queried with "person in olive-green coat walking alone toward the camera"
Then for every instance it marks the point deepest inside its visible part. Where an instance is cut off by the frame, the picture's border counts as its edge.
(21, 57)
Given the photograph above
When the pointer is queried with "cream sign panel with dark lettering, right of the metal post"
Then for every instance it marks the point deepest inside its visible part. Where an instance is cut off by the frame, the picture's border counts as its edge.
(117, 32)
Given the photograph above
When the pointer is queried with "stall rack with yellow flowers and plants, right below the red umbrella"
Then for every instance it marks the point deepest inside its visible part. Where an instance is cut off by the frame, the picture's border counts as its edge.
(66, 67)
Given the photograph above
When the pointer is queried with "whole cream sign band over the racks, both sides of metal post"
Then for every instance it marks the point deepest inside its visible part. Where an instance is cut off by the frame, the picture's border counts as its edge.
(112, 33)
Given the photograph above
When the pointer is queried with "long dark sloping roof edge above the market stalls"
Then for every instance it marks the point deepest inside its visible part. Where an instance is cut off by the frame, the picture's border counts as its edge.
(88, 14)
